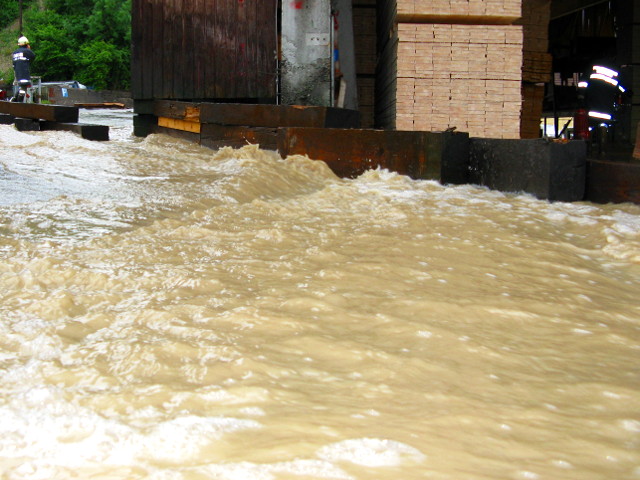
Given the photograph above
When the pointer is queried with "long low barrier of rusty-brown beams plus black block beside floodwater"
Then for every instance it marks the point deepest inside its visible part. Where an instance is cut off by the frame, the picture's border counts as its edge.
(548, 170)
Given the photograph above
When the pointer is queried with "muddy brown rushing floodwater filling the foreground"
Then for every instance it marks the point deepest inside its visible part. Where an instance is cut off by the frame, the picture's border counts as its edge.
(171, 312)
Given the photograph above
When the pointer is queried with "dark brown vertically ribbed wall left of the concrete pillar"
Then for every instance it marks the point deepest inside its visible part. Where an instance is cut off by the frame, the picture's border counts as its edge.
(204, 49)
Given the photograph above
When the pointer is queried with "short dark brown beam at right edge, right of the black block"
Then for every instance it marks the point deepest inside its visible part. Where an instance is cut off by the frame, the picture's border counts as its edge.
(613, 182)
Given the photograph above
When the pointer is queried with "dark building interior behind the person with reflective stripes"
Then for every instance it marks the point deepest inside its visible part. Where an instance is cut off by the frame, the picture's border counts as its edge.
(583, 33)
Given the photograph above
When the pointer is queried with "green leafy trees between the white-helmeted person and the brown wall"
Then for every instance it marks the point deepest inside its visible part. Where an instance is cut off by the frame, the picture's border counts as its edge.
(84, 40)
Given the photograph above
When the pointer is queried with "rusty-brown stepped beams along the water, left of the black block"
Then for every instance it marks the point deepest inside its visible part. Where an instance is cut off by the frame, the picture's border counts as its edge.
(322, 133)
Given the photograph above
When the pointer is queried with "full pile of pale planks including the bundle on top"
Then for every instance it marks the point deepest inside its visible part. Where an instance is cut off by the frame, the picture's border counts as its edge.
(458, 64)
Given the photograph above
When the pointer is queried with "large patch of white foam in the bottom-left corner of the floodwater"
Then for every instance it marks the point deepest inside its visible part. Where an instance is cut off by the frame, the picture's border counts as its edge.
(45, 431)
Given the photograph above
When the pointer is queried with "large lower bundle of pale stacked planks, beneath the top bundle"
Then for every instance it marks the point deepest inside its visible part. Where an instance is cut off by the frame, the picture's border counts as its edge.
(463, 76)
